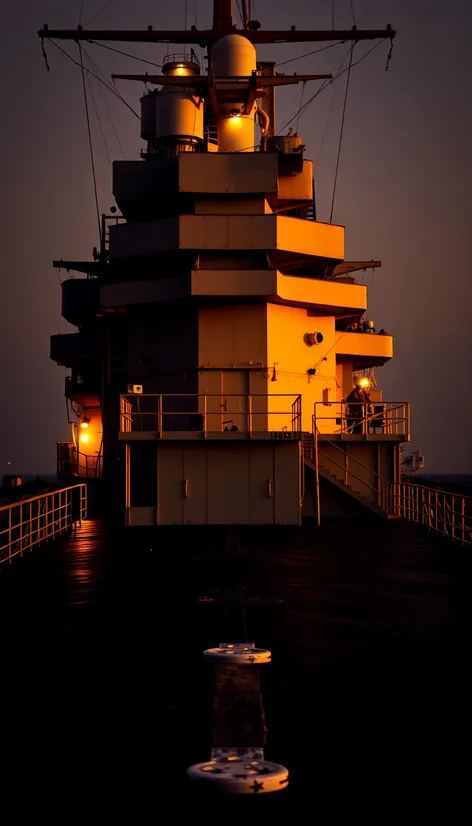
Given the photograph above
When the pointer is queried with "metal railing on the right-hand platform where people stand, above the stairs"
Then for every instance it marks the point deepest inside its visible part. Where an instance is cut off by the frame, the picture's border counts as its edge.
(387, 418)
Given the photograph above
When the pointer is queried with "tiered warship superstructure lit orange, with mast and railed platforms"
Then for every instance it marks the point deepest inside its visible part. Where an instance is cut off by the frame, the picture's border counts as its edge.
(216, 340)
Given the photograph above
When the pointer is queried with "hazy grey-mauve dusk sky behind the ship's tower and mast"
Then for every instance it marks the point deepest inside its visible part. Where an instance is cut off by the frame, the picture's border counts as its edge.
(404, 193)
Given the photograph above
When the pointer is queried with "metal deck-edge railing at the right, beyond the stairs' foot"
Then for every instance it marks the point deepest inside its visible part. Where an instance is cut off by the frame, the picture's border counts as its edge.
(440, 511)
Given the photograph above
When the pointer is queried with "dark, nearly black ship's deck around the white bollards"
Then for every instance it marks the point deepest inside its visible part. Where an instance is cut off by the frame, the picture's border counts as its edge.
(367, 701)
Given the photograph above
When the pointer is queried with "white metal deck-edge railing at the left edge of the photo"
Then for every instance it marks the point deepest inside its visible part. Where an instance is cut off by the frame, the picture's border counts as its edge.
(30, 522)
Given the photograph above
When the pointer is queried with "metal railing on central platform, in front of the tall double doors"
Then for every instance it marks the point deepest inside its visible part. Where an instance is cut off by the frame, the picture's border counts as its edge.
(210, 413)
